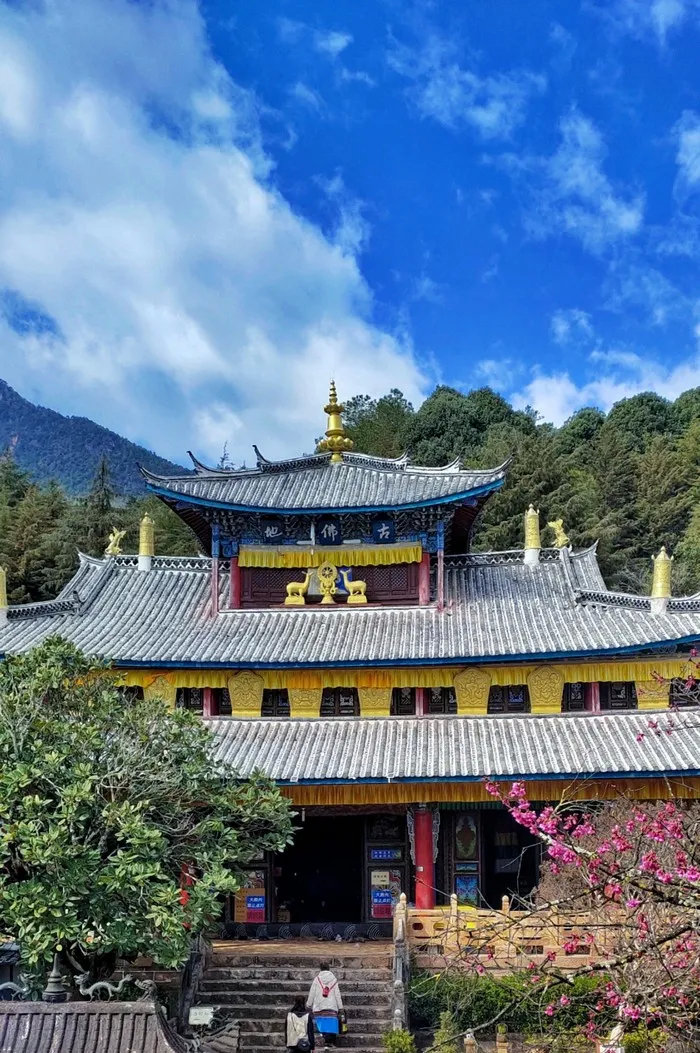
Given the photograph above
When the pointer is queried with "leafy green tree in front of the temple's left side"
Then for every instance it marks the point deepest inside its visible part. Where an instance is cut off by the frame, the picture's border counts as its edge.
(106, 802)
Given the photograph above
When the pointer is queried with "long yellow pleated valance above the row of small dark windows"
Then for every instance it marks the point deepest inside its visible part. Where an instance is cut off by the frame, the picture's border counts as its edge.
(427, 677)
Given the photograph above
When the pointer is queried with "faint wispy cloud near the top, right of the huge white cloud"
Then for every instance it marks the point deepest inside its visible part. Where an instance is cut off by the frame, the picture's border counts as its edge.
(453, 96)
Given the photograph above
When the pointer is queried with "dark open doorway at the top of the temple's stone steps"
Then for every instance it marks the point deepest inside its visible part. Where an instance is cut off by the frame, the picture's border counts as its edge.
(321, 878)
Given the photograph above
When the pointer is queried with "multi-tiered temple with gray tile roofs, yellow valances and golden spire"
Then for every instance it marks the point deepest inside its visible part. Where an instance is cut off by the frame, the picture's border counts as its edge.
(341, 634)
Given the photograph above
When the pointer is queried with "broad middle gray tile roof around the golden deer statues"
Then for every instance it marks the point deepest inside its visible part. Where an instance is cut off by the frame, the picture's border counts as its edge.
(497, 609)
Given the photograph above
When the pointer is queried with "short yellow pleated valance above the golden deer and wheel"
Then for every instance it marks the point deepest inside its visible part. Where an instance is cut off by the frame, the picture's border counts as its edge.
(347, 555)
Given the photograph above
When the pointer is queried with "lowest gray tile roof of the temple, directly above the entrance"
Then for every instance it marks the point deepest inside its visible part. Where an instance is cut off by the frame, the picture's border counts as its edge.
(455, 748)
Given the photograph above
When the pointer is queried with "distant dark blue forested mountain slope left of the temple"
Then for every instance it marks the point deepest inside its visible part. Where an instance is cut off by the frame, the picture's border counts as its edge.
(50, 446)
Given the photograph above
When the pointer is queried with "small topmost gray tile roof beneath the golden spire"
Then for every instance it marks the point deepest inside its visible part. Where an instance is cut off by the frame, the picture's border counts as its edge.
(315, 484)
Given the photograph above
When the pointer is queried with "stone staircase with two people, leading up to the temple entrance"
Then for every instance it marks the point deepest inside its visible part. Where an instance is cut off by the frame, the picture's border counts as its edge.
(256, 990)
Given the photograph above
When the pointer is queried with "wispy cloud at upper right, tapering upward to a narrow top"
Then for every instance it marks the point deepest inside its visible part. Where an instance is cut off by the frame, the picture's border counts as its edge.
(573, 195)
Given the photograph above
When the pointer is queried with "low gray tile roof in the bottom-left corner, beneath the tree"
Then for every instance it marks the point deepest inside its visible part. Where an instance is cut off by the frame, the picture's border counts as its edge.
(86, 1027)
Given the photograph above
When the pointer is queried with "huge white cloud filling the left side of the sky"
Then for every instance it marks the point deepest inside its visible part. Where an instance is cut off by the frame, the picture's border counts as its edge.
(190, 304)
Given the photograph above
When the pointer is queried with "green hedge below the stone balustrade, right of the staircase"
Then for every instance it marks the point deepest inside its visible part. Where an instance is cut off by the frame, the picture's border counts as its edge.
(475, 1001)
